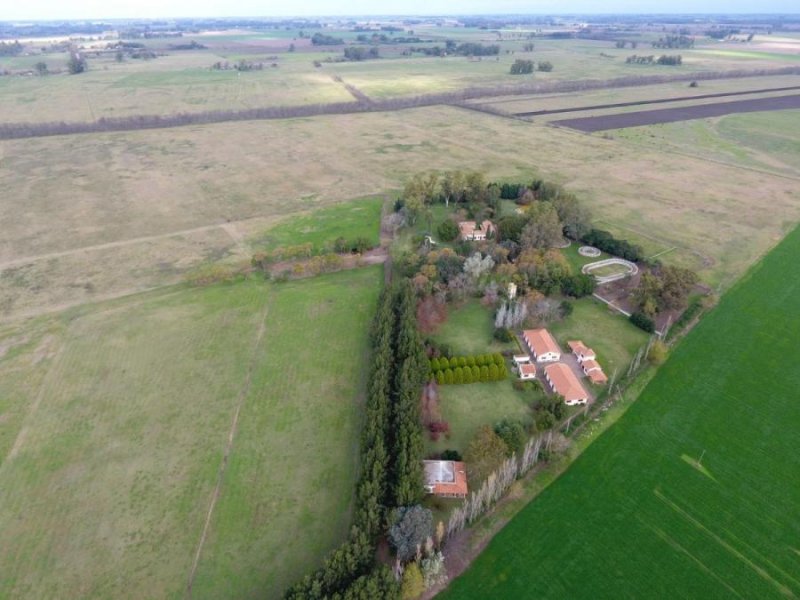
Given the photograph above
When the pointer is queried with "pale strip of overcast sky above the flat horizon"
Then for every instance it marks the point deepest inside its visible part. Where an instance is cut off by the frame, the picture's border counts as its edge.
(98, 9)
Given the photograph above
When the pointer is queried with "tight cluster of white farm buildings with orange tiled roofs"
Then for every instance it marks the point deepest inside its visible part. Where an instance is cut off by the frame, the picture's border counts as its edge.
(560, 376)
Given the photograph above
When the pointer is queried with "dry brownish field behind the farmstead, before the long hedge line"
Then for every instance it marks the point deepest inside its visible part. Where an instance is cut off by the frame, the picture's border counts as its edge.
(203, 191)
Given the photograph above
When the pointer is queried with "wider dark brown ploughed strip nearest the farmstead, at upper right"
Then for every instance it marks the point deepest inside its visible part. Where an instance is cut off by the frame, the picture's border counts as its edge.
(685, 113)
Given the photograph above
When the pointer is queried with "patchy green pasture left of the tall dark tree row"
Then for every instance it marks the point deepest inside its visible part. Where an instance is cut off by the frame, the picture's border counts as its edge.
(114, 420)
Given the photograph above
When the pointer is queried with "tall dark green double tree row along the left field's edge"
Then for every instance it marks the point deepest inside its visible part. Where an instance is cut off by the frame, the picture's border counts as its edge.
(391, 455)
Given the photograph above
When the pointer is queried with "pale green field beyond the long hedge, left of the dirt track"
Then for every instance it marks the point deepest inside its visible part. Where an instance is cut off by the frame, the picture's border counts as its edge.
(179, 82)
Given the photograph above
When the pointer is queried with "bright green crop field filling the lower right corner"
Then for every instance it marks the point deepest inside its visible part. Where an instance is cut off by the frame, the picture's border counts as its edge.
(639, 514)
